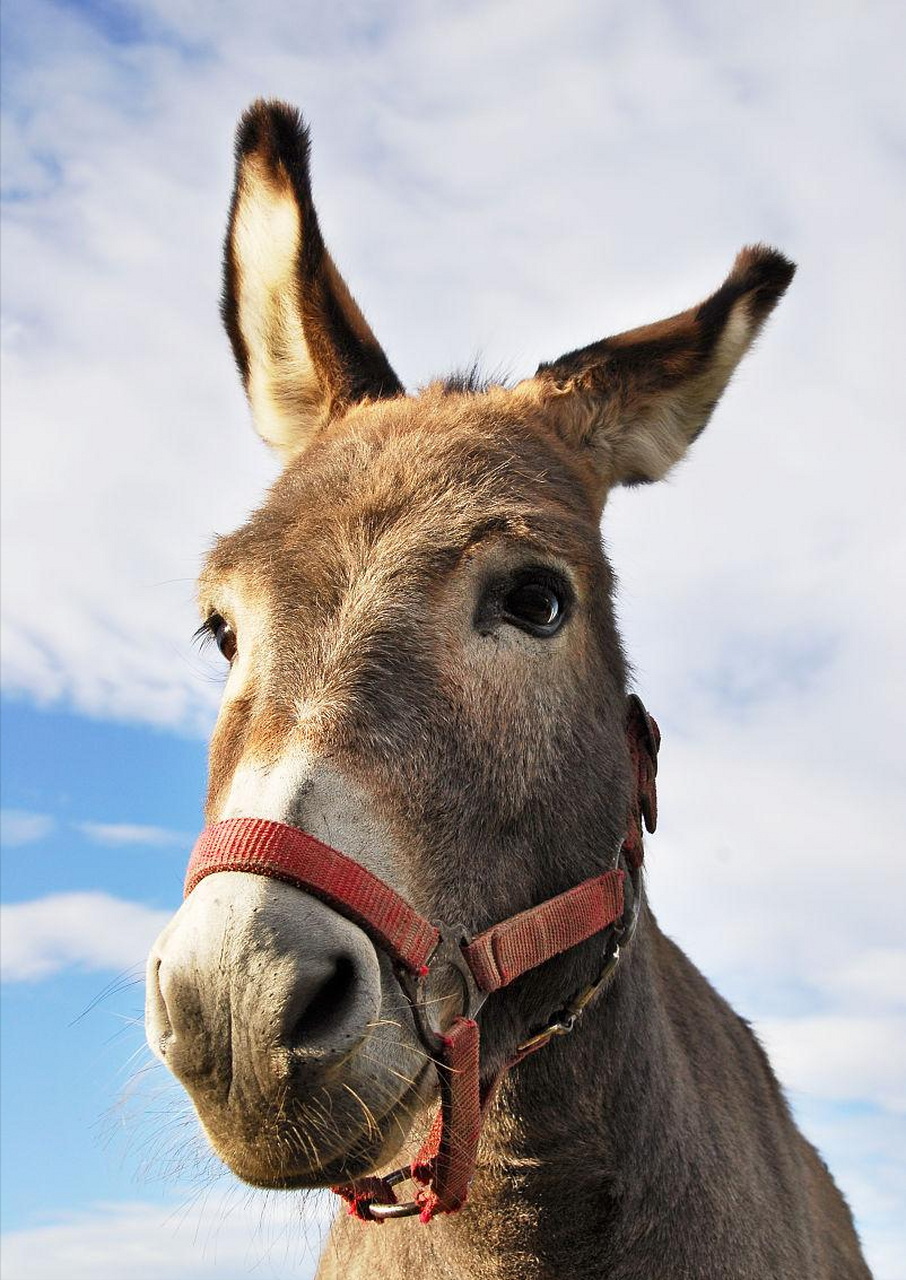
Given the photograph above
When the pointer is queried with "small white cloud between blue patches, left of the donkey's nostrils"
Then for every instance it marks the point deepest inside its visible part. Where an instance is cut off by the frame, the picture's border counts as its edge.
(89, 931)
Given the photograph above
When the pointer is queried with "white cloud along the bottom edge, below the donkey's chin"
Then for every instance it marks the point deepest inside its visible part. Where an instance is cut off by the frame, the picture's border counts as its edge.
(225, 1236)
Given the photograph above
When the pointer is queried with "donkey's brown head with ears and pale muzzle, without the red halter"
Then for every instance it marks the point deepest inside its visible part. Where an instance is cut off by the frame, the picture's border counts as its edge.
(424, 673)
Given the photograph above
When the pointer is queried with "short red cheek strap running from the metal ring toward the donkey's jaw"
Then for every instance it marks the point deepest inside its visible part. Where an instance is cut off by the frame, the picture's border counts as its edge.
(525, 941)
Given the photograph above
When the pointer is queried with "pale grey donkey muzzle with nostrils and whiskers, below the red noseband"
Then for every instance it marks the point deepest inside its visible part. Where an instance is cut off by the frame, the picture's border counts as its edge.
(289, 1032)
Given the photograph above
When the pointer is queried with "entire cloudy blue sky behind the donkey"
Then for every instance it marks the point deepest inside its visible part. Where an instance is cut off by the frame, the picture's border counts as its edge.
(507, 181)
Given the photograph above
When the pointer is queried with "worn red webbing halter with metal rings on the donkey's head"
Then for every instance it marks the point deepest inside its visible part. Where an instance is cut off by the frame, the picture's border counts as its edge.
(446, 1164)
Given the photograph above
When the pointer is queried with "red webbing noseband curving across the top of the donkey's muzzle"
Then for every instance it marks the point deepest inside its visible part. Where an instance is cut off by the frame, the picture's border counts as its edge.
(286, 853)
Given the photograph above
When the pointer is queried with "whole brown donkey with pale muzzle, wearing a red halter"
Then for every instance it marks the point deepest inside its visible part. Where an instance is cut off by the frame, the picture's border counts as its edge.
(425, 679)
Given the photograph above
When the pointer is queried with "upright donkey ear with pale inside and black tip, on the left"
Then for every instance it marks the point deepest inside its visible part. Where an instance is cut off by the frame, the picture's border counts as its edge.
(303, 346)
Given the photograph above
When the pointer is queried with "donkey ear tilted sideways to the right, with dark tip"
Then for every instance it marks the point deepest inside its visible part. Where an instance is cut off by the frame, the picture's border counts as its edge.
(639, 400)
